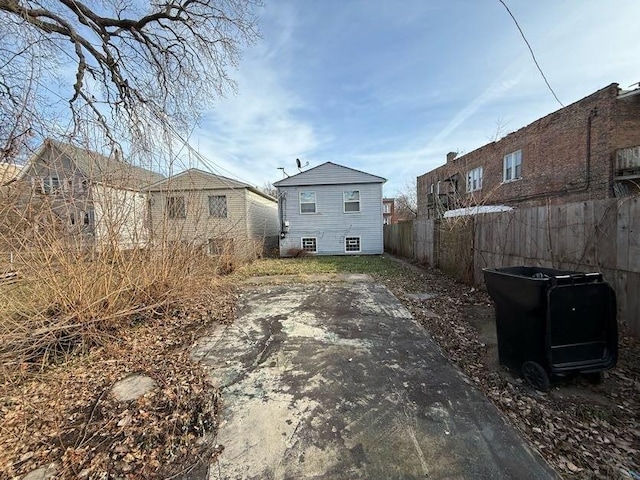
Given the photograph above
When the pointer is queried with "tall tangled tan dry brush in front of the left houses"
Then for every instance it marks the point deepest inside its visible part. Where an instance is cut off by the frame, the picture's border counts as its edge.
(73, 294)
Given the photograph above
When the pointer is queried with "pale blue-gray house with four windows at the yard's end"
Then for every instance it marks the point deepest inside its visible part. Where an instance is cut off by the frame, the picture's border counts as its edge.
(331, 210)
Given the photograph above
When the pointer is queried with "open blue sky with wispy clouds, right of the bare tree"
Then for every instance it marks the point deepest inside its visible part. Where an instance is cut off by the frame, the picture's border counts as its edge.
(390, 87)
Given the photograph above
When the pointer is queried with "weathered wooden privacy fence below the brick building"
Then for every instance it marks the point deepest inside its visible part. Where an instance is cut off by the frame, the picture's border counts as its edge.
(594, 236)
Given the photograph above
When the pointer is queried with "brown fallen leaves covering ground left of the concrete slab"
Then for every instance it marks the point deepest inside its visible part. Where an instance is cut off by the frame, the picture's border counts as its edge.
(66, 415)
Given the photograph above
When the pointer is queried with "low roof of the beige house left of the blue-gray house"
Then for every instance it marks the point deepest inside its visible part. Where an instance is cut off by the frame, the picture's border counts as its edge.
(196, 179)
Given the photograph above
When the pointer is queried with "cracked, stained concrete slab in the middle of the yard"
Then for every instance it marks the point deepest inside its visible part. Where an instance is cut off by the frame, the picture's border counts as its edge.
(338, 381)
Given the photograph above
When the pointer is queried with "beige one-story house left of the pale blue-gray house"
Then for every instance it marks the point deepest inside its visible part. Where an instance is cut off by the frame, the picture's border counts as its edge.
(213, 211)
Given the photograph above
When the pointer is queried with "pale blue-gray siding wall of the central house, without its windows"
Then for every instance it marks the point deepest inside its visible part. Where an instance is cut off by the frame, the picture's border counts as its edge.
(330, 225)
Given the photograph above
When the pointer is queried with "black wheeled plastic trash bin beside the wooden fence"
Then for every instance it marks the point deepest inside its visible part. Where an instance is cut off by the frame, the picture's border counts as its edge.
(553, 322)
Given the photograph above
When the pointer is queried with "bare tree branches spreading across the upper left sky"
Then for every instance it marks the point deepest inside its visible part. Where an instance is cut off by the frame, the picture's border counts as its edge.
(133, 61)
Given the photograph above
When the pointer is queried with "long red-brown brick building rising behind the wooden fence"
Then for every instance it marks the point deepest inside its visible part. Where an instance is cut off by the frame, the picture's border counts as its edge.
(587, 150)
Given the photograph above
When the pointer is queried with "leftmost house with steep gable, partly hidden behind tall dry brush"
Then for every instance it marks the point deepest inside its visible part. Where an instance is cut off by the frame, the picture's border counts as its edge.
(98, 200)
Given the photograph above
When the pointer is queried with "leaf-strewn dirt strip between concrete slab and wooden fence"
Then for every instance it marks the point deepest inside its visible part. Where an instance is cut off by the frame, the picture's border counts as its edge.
(583, 430)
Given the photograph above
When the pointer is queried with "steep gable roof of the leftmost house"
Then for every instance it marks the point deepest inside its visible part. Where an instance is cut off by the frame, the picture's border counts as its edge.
(98, 167)
